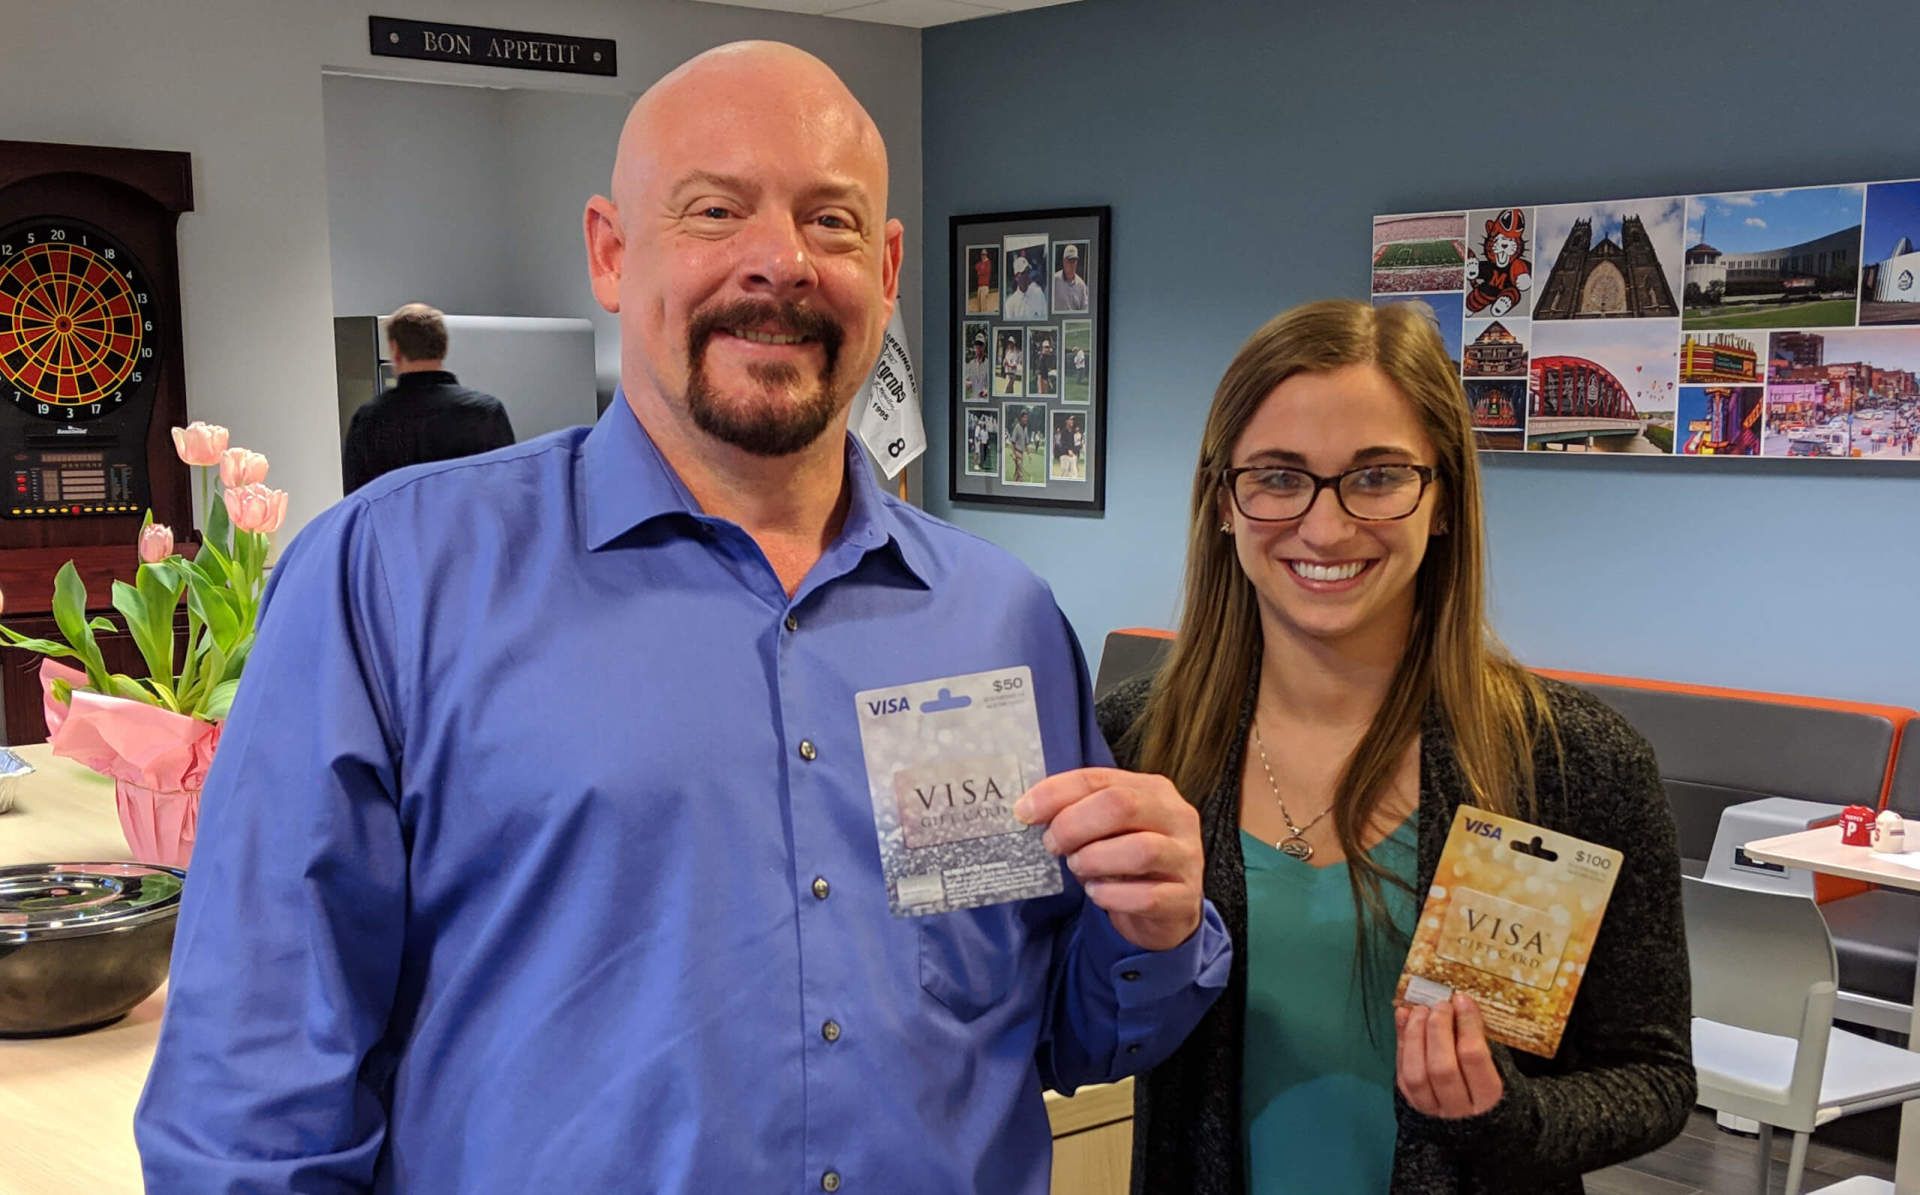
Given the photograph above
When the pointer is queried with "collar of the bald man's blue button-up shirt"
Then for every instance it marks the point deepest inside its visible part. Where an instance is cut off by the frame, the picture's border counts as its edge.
(627, 483)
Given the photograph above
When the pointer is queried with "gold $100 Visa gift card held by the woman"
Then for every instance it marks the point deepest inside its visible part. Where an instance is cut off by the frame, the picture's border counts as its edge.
(1512, 921)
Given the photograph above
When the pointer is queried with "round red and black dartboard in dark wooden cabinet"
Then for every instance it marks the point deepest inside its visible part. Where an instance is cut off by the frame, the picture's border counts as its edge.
(76, 324)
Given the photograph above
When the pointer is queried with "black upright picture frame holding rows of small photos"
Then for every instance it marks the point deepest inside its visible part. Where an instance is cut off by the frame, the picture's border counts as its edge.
(1045, 362)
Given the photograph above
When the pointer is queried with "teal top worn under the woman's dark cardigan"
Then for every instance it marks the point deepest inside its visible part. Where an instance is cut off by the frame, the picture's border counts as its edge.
(1316, 1088)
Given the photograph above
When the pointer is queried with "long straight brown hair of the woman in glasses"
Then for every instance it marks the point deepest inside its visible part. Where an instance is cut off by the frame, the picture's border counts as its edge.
(1493, 708)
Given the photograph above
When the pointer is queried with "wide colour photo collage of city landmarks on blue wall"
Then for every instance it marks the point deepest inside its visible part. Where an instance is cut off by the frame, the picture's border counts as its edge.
(1781, 324)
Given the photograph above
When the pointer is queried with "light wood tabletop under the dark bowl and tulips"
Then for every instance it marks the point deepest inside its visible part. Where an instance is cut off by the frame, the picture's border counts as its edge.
(66, 1104)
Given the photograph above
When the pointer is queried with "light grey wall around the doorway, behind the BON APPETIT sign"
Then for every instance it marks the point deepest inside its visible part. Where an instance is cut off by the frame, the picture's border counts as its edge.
(237, 84)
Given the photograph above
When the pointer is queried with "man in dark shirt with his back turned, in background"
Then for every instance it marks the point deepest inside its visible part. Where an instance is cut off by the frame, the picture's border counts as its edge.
(427, 416)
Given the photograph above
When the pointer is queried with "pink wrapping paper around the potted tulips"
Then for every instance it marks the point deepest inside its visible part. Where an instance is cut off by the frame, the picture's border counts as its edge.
(158, 762)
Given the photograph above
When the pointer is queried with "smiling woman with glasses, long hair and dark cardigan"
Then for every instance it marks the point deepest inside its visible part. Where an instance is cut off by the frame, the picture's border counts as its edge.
(1332, 700)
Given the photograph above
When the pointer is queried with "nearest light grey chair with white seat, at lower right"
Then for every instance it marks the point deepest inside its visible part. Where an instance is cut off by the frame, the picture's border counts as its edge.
(1765, 1046)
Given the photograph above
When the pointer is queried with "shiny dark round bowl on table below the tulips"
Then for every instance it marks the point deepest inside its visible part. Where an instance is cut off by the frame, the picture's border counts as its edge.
(82, 944)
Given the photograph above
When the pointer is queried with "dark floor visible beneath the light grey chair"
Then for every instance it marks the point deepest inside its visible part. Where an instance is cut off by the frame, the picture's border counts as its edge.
(1704, 1161)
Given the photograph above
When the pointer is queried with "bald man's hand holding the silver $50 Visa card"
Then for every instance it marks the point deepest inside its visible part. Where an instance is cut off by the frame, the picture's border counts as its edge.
(1132, 842)
